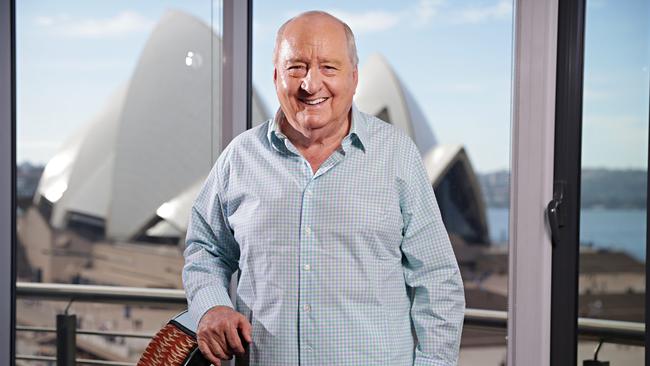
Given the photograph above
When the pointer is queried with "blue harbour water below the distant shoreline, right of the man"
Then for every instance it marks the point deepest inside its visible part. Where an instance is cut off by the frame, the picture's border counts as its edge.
(614, 229)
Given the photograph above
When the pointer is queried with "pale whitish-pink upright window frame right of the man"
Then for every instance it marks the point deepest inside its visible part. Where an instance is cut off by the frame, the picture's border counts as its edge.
(531, 167)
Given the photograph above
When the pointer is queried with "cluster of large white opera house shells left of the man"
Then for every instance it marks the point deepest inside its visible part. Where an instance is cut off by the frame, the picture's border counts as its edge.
(149, 145)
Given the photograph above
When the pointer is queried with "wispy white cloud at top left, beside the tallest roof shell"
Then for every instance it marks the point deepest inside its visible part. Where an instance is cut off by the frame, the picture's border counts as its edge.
(124, 23)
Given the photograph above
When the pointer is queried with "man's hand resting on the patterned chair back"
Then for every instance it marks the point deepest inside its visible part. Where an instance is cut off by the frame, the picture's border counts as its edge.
(218, 335)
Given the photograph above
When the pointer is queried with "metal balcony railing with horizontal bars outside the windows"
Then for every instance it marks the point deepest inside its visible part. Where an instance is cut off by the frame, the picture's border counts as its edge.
(610, 331)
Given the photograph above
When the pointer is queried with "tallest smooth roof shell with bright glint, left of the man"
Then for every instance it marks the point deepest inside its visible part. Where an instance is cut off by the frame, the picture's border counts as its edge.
(161, 146)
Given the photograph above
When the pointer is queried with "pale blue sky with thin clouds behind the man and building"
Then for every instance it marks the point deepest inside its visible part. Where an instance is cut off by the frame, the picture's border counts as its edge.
(454, 56)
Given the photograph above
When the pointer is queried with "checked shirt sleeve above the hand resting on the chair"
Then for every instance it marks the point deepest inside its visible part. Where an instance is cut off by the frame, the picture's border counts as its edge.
(211, 253)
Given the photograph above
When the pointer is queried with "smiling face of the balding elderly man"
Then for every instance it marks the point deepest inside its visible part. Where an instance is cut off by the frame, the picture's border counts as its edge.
(314, 76)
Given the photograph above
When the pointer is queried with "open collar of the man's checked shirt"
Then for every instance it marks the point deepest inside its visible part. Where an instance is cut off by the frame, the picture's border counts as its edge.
(356, 137)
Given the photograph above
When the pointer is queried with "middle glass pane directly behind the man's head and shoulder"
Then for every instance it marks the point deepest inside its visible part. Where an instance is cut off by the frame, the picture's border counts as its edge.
(441, 71)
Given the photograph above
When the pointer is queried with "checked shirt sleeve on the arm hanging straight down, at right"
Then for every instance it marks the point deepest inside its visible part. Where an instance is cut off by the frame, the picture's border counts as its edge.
(430, 270)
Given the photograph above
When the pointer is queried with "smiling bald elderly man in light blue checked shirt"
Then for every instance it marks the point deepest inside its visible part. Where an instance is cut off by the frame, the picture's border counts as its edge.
(328, 214)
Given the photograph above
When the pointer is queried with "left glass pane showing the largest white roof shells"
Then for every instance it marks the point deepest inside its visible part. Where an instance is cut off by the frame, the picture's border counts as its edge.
(118, 125)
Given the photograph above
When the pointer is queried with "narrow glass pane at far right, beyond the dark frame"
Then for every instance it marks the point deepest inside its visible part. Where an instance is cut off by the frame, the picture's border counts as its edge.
(614, 170)
